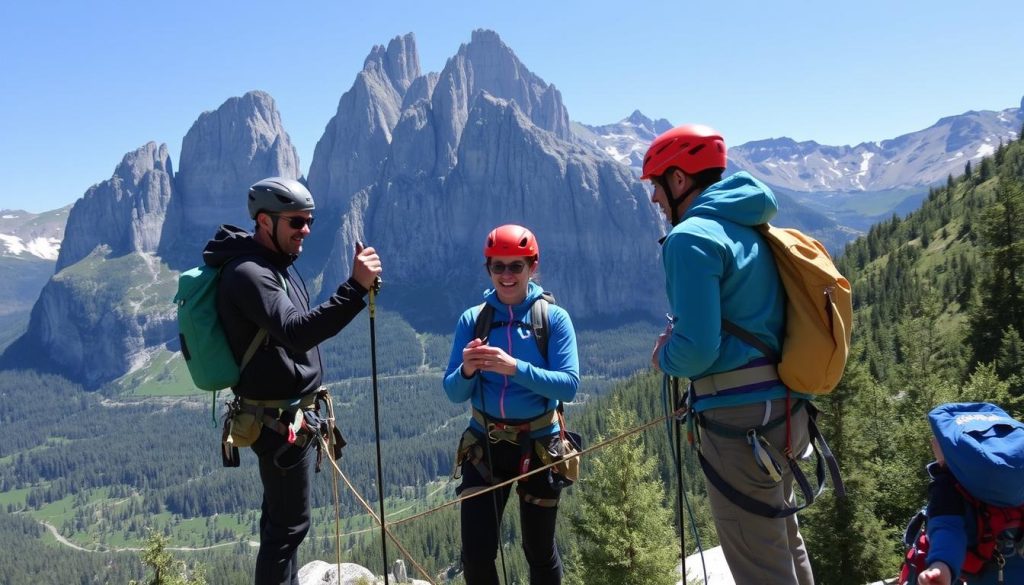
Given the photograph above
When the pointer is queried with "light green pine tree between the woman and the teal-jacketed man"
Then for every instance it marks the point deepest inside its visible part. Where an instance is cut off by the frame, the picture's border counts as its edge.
(624, 527)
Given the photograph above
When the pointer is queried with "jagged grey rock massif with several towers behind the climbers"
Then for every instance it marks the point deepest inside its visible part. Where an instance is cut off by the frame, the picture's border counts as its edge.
(419, 165)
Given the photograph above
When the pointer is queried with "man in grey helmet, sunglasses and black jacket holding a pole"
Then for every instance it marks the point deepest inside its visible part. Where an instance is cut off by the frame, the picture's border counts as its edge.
(257, 291)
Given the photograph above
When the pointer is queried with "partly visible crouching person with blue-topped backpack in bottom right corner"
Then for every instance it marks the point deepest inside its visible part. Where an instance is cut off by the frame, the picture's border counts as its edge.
(976, 498)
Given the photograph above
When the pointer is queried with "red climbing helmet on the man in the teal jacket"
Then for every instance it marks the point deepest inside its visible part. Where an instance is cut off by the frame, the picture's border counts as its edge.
(693, 148)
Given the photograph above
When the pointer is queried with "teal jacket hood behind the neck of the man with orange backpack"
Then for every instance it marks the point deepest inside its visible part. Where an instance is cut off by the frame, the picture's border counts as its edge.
(739, 198)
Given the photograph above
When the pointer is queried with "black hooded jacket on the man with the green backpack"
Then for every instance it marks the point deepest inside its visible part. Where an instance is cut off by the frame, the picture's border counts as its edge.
(250, 297)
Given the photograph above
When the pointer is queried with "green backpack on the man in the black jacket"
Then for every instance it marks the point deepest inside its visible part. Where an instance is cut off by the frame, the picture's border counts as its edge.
(204, 344)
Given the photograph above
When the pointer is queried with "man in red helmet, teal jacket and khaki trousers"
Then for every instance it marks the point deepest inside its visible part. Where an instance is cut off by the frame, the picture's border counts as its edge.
(719, 268)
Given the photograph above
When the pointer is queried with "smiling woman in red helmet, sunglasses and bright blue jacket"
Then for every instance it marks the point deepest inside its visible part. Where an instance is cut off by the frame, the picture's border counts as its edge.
(516, 393)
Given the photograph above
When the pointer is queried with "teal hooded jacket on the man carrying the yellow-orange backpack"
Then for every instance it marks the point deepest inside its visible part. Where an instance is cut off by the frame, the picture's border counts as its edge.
(718, 267)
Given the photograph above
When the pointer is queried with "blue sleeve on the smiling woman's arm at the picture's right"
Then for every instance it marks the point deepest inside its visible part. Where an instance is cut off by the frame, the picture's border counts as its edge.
(562, 380)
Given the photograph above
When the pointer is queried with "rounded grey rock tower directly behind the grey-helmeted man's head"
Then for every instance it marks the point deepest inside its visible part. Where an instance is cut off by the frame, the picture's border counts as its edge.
(224, 153)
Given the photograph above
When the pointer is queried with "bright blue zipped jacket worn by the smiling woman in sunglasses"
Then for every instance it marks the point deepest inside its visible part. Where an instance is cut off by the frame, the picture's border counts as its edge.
(539, 384)
